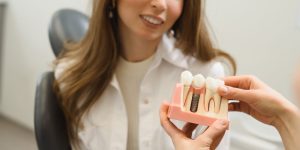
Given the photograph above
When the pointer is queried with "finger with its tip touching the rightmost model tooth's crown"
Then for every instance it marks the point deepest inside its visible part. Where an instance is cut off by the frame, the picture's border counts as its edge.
(246, 96)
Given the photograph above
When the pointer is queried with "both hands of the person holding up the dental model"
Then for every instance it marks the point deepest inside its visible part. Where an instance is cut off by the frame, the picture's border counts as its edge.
(256, 99)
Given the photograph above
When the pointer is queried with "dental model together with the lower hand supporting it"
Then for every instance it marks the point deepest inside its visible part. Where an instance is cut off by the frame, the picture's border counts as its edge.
(196, 101)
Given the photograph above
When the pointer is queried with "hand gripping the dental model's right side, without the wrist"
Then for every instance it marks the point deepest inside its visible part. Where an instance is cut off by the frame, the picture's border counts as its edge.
(256, 98)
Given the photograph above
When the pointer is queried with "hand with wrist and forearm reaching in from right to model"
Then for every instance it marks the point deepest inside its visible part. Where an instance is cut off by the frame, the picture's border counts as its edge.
(264, 104)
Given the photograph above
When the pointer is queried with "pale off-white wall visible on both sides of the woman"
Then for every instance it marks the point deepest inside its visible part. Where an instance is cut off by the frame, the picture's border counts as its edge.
(261, 34)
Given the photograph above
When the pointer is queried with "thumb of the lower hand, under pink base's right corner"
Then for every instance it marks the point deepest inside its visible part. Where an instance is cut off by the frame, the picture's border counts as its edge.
(214, 131)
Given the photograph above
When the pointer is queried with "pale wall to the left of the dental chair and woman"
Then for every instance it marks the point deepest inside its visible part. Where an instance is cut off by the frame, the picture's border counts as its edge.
(27, 53)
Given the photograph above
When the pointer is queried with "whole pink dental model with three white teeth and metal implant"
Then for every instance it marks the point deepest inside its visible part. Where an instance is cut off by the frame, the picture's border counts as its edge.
(196, 100)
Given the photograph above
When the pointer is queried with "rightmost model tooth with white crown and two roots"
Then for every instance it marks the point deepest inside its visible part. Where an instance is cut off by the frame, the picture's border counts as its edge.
(211, 95)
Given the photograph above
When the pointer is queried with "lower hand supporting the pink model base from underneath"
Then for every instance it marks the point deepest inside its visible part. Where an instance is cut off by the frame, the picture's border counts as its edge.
(182, 138)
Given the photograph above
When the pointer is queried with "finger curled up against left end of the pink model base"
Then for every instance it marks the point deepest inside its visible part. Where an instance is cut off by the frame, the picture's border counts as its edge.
(168, 126)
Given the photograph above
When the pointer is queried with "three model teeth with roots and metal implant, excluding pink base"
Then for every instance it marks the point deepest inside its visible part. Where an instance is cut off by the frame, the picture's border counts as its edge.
(196, 86)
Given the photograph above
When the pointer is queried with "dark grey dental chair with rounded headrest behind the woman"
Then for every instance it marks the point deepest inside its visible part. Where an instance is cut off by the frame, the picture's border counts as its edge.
(49, 121)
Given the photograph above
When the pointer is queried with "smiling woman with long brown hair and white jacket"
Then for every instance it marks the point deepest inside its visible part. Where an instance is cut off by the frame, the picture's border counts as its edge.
(112, 82)
